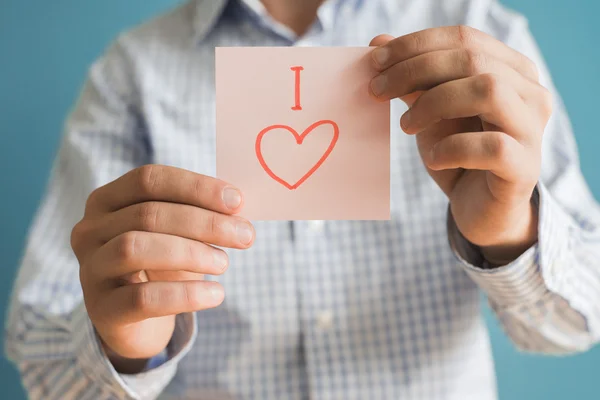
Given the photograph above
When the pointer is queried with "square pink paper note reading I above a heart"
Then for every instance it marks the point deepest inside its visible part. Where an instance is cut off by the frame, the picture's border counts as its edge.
(299, 134)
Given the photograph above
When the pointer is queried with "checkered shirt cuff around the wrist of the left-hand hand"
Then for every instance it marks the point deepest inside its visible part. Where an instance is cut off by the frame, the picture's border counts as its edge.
(93, 361)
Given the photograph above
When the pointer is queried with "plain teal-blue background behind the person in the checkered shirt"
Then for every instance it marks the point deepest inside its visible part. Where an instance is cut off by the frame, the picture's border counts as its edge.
(47, 46)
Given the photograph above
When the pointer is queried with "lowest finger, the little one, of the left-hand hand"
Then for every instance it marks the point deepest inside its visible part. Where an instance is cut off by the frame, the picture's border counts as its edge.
(134, 303)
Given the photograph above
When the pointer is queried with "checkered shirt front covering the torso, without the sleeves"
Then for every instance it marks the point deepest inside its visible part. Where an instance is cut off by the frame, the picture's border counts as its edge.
(319, 309)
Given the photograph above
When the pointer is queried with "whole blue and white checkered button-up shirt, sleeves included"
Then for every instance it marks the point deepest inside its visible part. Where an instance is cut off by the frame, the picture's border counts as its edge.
(316, 309)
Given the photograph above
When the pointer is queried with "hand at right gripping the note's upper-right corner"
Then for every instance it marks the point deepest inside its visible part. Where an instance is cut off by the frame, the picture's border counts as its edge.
(478, 113)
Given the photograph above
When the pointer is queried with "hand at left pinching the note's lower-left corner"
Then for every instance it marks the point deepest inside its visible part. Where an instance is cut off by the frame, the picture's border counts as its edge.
(144, 245)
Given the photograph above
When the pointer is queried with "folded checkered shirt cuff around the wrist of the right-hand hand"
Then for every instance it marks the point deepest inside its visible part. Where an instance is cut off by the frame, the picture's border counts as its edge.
(532, 276)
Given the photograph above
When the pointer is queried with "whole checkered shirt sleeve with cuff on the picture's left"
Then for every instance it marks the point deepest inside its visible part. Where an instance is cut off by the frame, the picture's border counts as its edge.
(49, 334)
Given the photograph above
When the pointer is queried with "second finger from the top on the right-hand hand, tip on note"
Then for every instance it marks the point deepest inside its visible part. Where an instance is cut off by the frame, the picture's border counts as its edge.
(428, 70)
